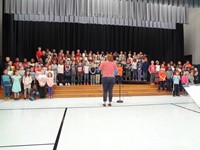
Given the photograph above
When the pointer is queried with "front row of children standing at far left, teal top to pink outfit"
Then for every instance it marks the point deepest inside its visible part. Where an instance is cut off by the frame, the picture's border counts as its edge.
(17, 83)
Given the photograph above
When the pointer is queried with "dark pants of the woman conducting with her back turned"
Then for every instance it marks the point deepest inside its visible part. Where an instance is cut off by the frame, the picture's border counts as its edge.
(108, 84)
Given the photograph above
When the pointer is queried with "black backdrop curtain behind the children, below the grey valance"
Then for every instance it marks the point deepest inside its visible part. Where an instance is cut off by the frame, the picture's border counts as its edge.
(21, 39)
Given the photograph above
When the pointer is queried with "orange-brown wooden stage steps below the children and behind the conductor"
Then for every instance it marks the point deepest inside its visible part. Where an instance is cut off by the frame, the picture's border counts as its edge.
(96, 91)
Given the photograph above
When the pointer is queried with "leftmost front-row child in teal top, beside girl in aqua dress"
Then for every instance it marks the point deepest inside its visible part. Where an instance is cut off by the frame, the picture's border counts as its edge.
(6, 83)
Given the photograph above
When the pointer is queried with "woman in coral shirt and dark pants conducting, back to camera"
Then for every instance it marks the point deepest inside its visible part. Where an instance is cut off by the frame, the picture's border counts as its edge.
(108, 80)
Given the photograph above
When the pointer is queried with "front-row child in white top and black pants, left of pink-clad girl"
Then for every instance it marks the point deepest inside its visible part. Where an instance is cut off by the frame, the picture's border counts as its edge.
(42, 79)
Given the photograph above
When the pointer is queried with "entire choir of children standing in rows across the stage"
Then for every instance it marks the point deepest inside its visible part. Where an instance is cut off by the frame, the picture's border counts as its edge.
(50, 68)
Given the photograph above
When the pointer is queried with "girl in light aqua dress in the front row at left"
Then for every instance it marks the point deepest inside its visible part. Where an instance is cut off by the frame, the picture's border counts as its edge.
(16, 88)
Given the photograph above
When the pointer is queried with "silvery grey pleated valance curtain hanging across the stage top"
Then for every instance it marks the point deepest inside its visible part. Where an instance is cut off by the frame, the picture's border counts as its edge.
(142, 13)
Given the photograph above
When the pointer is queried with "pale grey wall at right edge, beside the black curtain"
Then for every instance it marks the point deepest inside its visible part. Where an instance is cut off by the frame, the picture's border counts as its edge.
(192, 35)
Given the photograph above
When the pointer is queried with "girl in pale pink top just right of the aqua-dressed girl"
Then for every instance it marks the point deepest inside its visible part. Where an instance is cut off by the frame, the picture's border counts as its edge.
(27, 80)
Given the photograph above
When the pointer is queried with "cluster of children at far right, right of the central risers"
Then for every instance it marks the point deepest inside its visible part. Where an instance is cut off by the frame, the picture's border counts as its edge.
(173, 77)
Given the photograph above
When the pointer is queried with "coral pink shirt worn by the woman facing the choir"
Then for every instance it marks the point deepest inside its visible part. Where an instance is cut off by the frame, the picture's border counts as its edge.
(108, 68)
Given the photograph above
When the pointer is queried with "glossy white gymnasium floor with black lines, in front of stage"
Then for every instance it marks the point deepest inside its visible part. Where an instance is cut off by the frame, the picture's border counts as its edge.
(140, 123)
